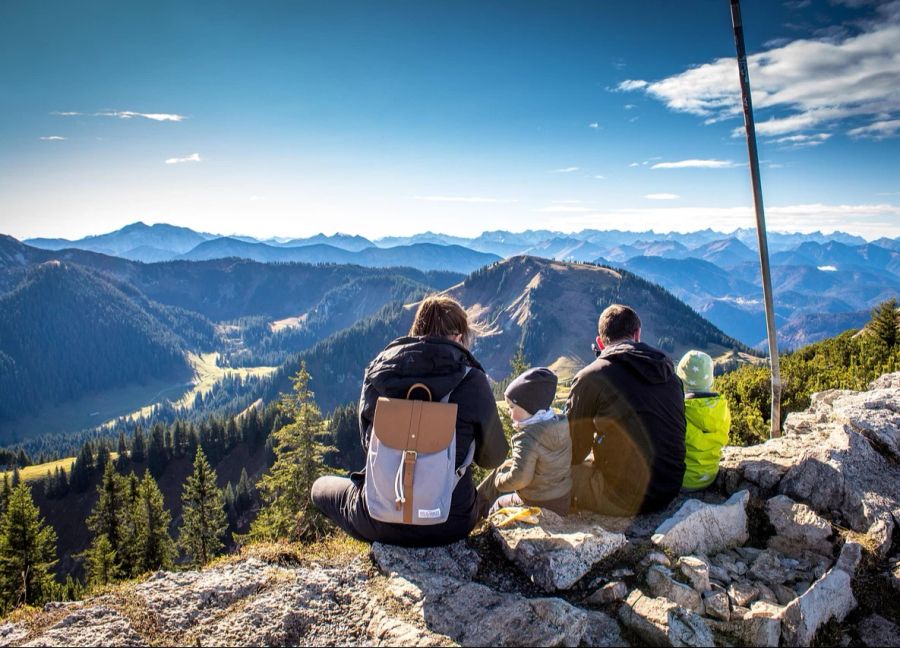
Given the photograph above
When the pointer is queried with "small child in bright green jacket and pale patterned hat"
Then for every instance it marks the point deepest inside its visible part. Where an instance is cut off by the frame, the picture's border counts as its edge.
(708, 420)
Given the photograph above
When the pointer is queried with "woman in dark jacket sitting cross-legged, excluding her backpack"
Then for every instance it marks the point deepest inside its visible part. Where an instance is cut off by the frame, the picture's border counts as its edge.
(434, 356)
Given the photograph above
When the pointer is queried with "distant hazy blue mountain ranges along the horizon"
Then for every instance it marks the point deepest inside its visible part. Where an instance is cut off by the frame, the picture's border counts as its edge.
(822, 282)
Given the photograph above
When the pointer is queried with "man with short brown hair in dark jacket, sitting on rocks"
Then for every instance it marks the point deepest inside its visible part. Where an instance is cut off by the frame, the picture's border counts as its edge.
(627, 407)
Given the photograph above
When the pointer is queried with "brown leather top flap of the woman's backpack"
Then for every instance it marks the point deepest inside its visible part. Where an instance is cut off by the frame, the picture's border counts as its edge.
(414, 425)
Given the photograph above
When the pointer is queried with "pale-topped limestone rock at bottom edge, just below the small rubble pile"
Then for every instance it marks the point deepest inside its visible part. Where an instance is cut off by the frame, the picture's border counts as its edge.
(659, 622)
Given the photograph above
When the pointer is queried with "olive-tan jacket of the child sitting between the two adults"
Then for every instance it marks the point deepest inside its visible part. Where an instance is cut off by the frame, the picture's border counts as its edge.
(540, 468)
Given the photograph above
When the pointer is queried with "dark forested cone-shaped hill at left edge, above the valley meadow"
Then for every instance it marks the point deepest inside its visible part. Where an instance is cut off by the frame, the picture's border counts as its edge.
(66, 331)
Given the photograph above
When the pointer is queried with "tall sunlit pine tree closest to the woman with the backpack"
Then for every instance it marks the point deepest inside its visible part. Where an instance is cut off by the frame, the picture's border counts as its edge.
(300, 460)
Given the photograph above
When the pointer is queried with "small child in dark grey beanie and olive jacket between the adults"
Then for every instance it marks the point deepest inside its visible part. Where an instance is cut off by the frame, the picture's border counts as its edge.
(539, 471)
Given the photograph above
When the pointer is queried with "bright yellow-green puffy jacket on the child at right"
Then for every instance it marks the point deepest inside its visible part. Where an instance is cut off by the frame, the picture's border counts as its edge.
(708, 425)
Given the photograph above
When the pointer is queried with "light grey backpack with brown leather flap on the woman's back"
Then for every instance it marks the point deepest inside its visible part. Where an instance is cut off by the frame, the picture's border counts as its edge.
(410, 467)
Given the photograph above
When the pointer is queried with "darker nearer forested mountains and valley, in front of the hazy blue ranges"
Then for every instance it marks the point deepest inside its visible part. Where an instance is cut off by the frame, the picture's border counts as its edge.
(76, 323)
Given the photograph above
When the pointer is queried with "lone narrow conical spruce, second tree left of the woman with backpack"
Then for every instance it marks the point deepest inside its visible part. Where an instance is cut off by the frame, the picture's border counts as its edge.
(203, 516)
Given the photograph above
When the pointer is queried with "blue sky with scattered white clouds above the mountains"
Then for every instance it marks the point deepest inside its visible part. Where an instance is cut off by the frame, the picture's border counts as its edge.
(394, 117)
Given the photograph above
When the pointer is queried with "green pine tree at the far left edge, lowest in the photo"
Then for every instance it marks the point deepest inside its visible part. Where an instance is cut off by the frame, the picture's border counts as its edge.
(27, 552)
